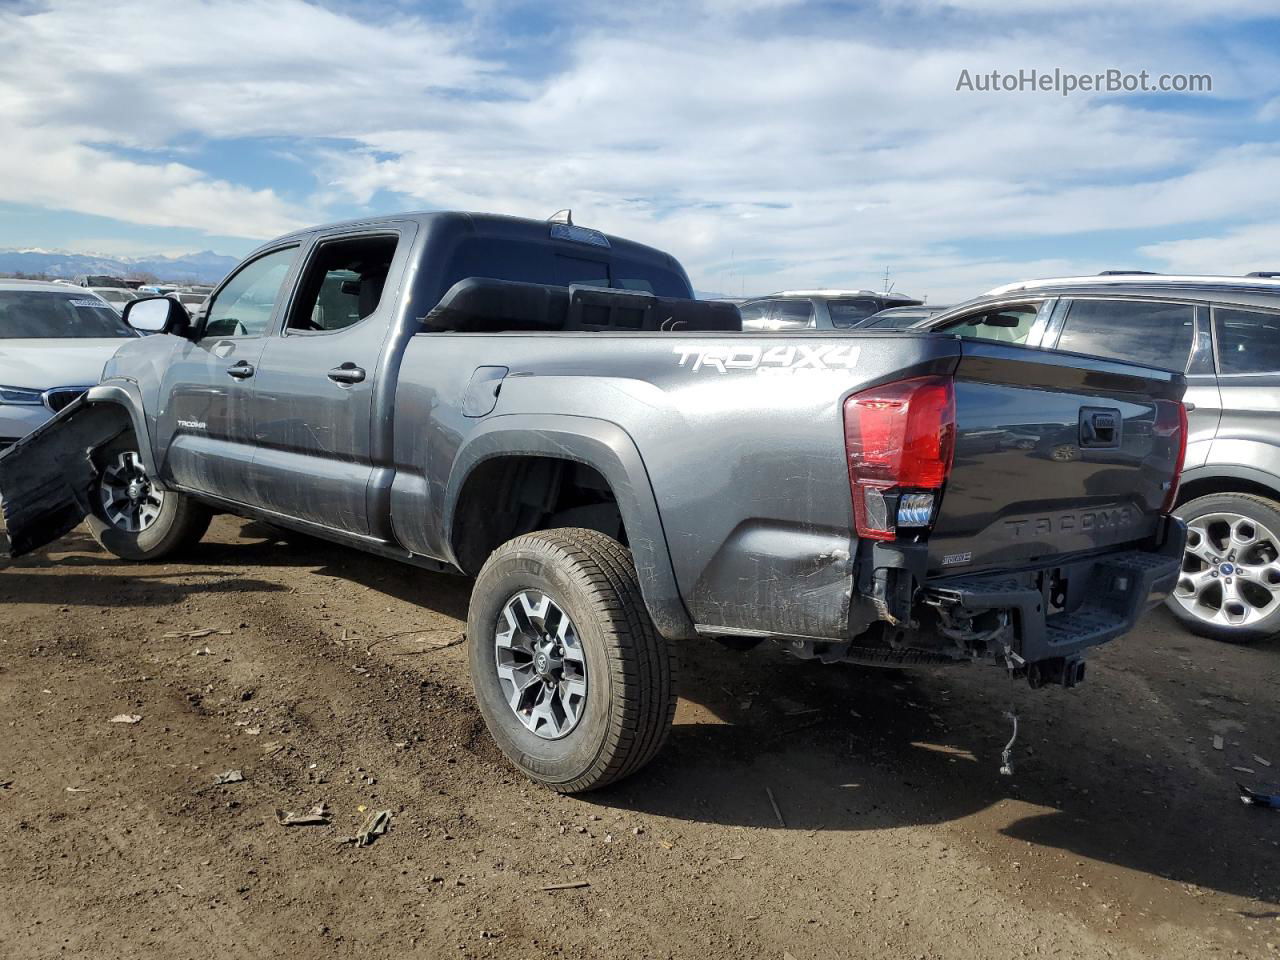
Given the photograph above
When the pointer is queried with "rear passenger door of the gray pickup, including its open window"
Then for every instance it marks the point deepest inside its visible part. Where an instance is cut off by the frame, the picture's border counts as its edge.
(318, 424)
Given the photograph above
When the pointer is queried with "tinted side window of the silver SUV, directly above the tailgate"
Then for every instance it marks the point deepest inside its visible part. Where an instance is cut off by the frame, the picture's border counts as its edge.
(1158, 335)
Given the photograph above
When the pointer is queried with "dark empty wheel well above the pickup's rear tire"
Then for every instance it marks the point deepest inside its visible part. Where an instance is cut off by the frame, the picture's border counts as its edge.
(506, 497)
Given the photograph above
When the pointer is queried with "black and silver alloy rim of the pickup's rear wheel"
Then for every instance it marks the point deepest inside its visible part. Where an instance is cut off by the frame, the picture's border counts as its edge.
(541, 665)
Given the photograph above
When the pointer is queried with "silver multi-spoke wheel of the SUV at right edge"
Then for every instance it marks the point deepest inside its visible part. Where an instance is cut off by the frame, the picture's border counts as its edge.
(1231, 572)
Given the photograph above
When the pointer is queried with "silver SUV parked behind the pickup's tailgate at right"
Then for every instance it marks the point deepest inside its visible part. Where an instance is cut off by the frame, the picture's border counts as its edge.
(1224, 333)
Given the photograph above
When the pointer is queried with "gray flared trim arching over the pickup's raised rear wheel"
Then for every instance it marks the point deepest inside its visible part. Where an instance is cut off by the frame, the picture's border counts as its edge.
(610, 450)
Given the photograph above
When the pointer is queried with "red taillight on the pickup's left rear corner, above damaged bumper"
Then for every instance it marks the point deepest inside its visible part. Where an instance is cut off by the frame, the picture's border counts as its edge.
(898, 437)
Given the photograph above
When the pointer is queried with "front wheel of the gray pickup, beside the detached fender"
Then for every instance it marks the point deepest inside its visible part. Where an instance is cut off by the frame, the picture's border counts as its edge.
(166, 523)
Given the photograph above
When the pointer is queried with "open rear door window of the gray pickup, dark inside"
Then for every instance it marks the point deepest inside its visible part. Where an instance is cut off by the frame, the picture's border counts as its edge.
(344, 284)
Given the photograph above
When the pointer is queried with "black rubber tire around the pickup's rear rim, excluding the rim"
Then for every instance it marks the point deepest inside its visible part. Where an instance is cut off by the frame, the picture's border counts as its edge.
(632, 691)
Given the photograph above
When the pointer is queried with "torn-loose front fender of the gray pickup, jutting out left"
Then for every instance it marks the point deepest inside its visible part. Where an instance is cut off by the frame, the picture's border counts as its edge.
(48, 477)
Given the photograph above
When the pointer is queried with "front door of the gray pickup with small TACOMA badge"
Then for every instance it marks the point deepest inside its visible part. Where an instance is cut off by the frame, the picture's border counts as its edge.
(205, 423)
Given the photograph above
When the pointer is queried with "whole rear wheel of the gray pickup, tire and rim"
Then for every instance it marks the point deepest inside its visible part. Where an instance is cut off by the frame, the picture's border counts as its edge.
(572, 676)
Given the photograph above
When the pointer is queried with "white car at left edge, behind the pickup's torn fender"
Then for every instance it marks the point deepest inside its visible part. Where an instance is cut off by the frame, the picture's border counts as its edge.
(54, 341)
